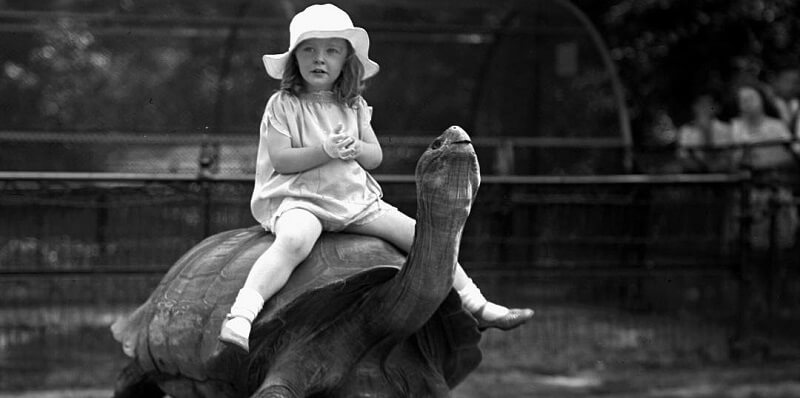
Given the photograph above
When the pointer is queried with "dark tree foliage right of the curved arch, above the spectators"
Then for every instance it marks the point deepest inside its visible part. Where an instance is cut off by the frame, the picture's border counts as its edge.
(670, 50)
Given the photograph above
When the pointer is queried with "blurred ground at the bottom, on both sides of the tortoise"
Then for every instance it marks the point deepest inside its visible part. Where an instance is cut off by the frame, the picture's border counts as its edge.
(568, 353)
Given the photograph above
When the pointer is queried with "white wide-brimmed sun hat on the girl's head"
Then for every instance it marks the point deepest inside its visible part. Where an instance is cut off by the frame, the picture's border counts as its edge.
(322, 21)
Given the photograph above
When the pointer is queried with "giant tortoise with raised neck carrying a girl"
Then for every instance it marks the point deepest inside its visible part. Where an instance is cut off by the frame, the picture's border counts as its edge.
(356, 319)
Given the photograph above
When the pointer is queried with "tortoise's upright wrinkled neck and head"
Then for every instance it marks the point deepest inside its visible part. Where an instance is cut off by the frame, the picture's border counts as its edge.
(447, 180)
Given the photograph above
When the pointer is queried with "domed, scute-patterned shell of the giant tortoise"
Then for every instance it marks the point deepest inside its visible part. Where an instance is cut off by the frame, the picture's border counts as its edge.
(181, 319)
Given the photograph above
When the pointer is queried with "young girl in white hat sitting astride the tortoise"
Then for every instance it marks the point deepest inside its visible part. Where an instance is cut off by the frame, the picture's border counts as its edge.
(316, 143)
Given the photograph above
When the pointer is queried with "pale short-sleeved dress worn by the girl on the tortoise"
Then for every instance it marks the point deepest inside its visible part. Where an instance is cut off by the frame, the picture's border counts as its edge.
(340, 192)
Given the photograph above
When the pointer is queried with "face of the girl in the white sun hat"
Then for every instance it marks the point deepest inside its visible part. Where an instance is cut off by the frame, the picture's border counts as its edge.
(321, 61)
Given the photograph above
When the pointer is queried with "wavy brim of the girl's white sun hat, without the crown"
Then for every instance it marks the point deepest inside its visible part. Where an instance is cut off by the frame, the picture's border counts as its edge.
(358, 38)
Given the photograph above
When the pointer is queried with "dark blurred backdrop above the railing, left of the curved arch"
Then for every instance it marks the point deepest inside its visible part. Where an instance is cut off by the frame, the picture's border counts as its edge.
(144, 65)
